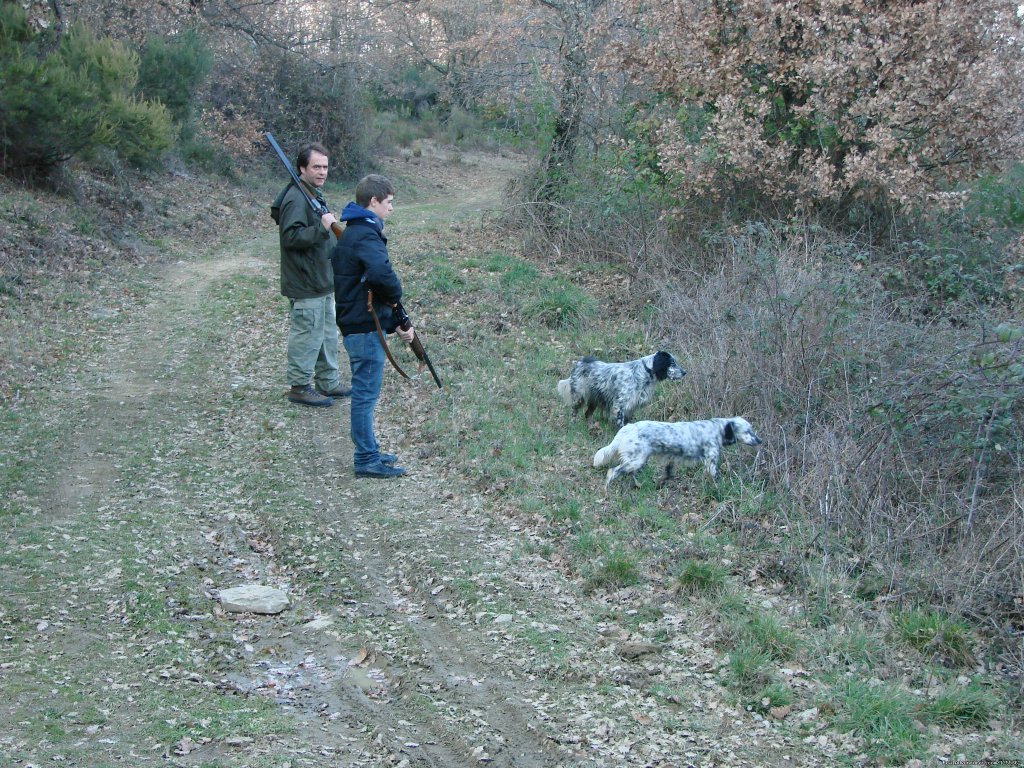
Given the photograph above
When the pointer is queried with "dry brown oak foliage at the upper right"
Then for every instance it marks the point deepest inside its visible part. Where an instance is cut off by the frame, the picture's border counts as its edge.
(829, 100)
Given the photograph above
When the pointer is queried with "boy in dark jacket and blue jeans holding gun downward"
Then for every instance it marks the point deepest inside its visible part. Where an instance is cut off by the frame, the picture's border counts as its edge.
(362, 265)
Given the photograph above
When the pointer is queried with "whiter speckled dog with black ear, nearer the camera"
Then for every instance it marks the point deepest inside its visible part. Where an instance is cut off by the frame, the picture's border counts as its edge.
(690, 442)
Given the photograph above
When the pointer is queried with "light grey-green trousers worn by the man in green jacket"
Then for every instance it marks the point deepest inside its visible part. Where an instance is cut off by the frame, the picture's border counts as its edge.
(313, 344)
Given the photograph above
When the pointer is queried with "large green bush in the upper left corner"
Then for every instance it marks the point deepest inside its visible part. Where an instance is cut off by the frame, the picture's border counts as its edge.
(72, 102)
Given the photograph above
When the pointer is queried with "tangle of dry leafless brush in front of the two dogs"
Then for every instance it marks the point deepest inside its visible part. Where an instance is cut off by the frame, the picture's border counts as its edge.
(897, 438)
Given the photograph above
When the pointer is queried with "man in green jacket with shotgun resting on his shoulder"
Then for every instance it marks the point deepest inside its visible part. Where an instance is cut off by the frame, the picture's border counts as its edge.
(308, 281)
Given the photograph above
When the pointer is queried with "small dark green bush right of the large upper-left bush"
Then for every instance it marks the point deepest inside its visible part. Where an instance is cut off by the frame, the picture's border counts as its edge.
(173, 70)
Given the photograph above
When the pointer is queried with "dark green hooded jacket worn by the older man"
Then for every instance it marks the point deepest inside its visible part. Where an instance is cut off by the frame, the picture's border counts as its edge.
(306, 246)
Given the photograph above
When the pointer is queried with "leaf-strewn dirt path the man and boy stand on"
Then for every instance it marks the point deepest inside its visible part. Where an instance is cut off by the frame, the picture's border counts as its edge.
(424, 629)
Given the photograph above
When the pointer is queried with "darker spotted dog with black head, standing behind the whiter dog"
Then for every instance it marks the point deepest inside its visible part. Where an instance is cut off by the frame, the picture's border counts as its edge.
(617, 389)
